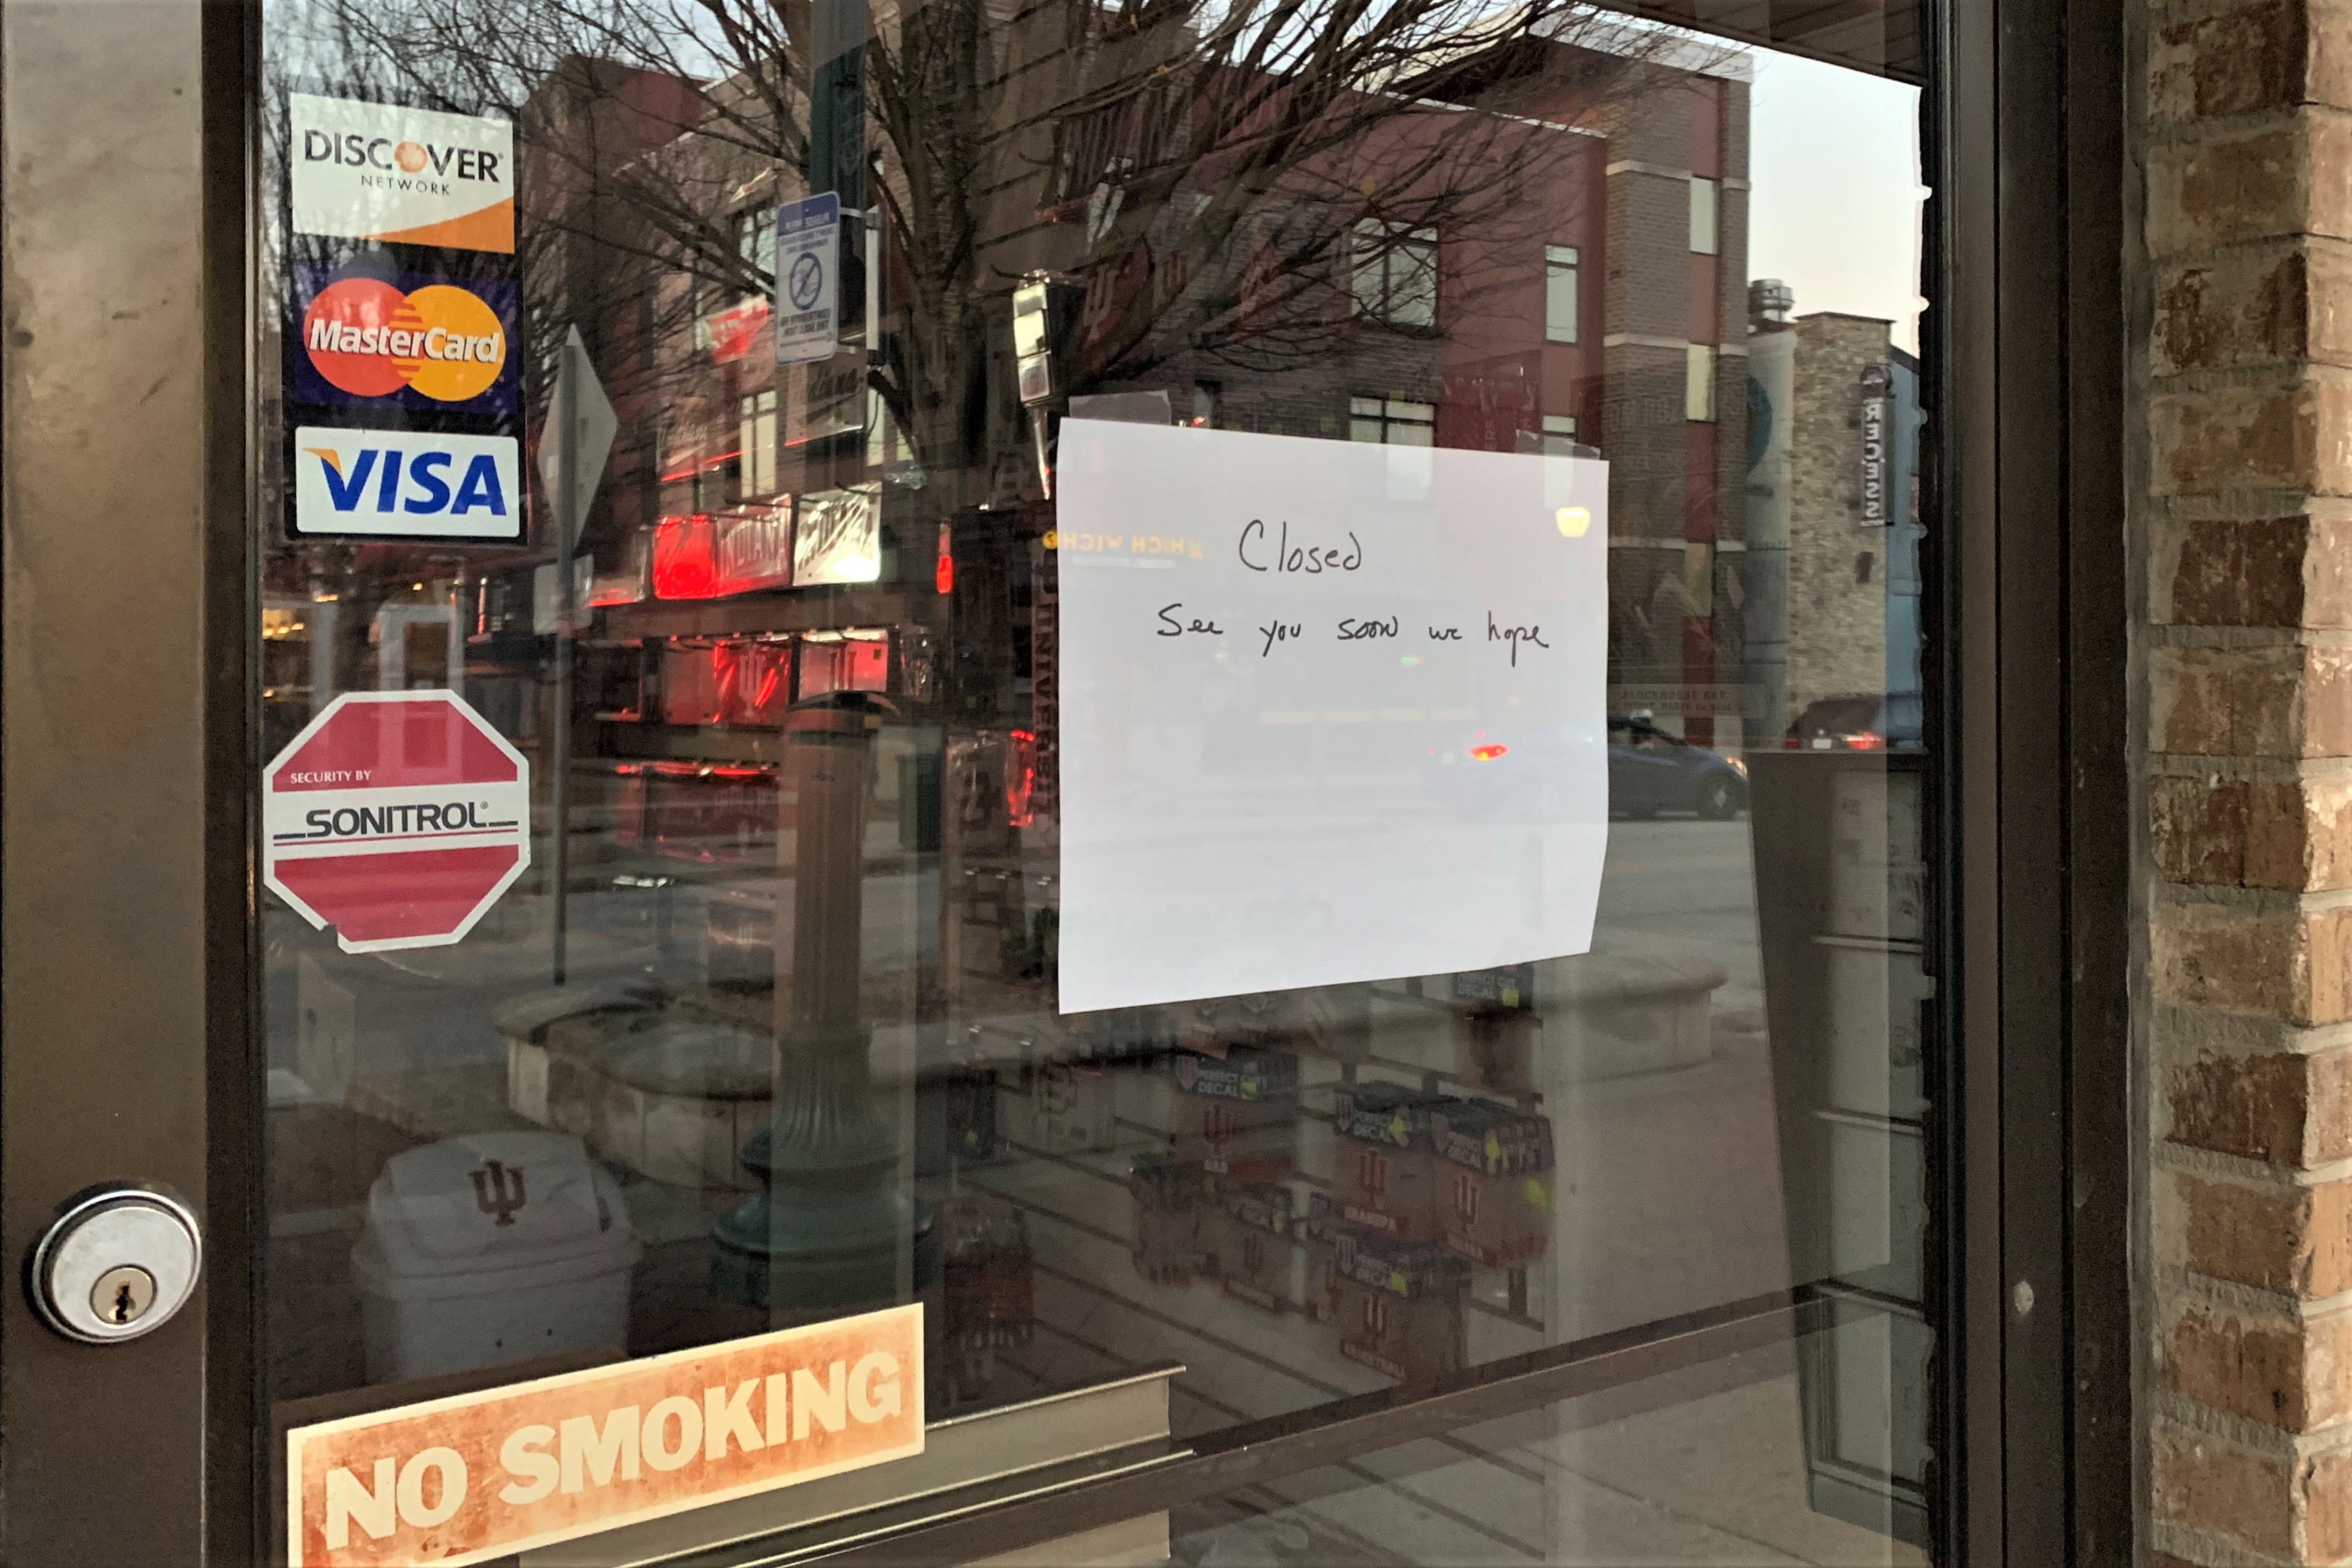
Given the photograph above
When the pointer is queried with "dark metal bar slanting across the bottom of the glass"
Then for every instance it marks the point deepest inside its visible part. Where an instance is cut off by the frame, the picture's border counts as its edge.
(1339, 1433)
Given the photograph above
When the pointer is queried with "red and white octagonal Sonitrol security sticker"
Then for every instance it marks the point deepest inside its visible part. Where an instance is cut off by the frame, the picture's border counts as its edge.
(396, 817)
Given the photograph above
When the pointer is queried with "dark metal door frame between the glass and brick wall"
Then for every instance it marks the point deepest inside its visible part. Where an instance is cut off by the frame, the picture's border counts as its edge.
(2031, 170)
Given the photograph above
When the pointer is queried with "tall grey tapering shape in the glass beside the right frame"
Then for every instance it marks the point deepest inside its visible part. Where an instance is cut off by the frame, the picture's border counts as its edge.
(1847, 996)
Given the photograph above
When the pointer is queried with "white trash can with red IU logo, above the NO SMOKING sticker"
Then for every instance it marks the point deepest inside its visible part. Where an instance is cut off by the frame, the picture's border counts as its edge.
(490, 1249)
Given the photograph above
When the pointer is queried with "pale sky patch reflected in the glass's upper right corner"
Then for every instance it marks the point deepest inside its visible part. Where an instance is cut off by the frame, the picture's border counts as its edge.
(1836, 192)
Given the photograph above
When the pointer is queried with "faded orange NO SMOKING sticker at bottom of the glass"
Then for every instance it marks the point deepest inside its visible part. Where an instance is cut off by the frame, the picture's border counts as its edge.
(488, 1475)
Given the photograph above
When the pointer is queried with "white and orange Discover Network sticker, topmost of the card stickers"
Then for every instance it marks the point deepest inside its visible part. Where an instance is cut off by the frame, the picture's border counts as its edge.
(401, 175)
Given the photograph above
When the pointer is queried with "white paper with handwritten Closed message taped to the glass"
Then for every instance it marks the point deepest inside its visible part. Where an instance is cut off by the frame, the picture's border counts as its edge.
(1332, 711)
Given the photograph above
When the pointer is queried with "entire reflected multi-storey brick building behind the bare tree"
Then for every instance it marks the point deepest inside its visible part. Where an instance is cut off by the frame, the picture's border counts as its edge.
(1561, 272)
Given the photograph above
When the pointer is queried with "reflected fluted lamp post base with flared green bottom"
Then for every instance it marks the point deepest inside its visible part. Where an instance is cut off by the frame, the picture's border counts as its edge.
(827, 1231)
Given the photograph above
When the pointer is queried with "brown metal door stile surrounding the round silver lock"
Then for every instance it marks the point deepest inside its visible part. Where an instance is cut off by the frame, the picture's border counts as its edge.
(126, 916)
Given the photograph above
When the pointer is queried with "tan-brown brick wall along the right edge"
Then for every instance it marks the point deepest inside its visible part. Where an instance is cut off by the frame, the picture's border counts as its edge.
(2247, 648)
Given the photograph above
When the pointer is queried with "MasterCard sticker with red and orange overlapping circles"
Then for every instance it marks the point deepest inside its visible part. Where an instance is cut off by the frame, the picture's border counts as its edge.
(415, 342)
